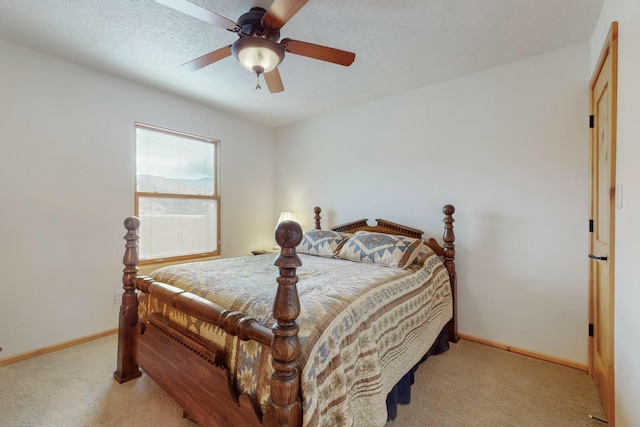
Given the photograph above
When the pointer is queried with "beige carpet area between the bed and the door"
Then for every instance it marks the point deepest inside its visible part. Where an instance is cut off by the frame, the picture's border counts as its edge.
(476, 385)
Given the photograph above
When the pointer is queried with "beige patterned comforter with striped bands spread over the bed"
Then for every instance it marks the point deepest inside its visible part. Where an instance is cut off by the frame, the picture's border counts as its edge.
(362, 326)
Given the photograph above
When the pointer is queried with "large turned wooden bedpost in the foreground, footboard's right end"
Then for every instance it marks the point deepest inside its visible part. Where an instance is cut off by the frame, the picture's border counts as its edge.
(284, 407)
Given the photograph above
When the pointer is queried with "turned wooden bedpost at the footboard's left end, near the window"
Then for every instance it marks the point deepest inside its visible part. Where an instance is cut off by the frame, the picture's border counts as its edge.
(127, 367)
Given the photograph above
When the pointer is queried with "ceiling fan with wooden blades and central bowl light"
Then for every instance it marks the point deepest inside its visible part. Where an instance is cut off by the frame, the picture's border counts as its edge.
(257, 47)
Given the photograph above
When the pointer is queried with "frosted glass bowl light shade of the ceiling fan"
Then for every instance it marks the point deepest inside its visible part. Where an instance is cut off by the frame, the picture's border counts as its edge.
(257, 54)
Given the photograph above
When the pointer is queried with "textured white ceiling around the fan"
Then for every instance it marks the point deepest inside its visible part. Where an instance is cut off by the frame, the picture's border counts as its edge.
(399, 45)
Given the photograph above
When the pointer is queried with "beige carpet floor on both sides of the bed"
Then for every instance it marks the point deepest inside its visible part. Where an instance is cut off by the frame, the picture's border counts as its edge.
(470, 385)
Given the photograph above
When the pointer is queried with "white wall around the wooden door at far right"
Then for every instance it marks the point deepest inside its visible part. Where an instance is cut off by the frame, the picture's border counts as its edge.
(627, 317)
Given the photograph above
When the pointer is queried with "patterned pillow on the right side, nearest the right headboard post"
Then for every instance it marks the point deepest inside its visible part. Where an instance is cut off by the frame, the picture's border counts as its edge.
(379, 248)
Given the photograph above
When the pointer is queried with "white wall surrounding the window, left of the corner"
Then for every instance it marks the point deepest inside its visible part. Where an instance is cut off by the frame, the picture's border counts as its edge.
(66, 185)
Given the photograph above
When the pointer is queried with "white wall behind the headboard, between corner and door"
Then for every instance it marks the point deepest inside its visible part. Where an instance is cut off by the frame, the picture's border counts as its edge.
(509, 148)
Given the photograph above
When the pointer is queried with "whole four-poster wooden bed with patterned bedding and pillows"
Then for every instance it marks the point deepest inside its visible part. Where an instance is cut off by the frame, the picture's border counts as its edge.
(335, 334)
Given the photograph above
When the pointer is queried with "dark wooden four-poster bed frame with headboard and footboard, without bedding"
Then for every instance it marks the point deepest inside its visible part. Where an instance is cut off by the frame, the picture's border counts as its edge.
(206, 394)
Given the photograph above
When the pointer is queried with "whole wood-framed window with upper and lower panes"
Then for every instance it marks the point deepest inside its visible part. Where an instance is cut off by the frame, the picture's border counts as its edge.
(176, 194)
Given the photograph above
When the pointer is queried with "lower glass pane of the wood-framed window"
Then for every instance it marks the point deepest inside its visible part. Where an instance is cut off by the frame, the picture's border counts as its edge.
(177, 226)
